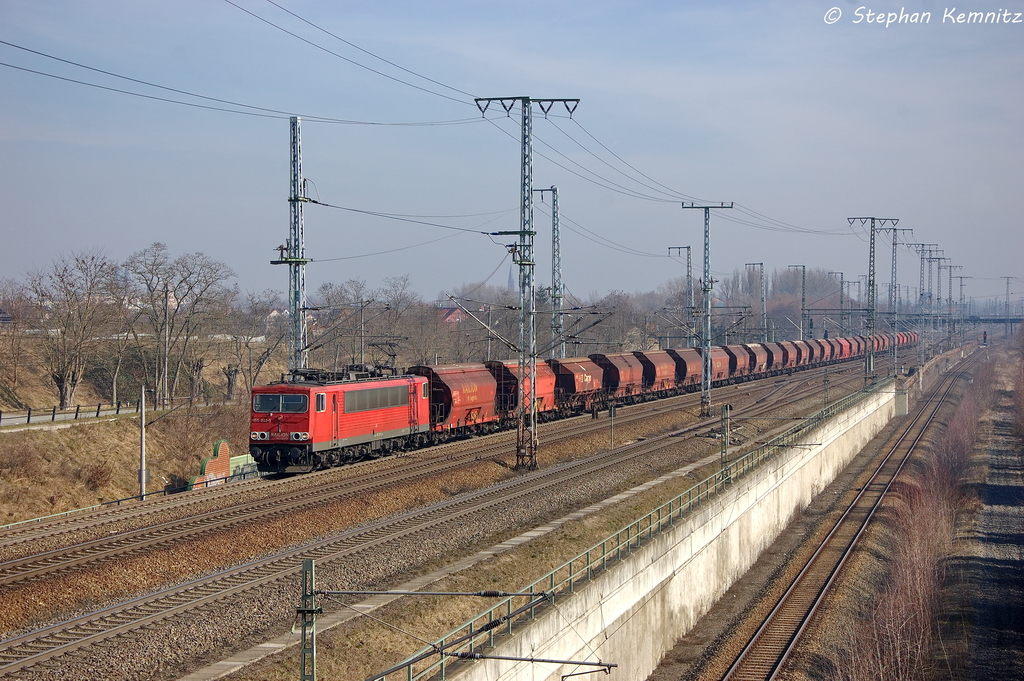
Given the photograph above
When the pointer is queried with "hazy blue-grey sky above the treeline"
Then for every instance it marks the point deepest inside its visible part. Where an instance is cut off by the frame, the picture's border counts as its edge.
(801, 122)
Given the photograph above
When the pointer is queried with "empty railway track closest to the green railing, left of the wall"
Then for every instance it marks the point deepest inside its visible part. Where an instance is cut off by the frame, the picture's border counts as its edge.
(20, 654)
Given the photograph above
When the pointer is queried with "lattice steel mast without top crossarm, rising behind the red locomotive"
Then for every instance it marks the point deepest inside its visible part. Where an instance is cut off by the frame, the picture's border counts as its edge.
(293, 254)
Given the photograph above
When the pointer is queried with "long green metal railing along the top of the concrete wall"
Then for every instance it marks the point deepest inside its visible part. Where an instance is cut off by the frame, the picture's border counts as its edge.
(501, 619)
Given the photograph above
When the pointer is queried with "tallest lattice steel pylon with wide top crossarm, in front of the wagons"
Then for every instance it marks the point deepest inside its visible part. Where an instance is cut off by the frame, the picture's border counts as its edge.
(527, 440)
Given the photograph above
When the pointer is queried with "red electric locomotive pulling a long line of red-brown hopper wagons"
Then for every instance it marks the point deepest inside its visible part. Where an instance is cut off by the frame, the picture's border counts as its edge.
(322, 419)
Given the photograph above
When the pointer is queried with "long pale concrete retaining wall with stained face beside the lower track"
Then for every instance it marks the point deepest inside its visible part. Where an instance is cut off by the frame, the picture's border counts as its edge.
(633, 615)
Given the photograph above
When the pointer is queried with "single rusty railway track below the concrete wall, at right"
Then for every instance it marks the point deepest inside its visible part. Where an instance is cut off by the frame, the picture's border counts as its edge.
(764, 655)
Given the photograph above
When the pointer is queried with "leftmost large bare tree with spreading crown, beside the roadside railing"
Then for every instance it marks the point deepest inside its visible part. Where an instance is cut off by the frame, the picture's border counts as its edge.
(73, 311)
